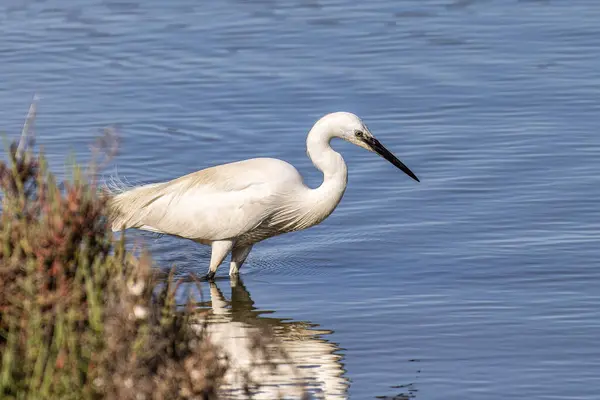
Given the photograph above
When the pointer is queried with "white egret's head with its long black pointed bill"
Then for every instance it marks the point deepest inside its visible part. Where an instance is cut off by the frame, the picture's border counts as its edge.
(350, 127)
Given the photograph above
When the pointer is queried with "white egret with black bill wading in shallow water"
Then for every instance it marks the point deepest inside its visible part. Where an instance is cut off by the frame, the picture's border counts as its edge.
(233, 206)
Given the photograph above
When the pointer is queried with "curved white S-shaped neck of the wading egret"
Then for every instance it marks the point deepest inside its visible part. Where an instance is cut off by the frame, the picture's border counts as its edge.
(326, 197)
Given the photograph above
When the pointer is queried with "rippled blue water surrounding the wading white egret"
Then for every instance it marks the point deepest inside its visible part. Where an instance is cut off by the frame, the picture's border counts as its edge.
(481, 282)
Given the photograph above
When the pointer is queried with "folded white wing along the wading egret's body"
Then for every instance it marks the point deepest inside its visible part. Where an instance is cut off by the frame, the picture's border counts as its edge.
(215, 203)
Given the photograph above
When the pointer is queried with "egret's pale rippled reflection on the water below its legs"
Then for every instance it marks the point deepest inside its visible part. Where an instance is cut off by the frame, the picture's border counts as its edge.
(312, 363)
